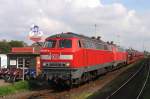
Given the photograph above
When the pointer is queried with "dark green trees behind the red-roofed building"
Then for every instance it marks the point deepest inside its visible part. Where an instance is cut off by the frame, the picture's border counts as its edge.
(5, 46)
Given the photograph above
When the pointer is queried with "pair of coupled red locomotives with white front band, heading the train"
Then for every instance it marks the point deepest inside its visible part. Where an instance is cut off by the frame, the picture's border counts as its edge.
(74, 58)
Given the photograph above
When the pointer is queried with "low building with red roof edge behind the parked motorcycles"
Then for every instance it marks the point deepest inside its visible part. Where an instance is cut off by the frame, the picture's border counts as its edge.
(27, 57)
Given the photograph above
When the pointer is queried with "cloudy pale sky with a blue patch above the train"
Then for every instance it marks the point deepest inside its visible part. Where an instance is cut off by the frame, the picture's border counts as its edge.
(126, 22)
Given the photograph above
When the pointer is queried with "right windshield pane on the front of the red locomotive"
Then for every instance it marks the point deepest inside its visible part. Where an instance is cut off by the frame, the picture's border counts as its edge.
(65, 43)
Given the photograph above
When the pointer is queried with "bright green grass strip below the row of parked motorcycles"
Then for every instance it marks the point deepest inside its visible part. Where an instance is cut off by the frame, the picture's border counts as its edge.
(14, 88)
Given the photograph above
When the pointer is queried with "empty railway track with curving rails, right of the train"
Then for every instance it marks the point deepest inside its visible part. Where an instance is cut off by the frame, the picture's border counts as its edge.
(134, 86)
